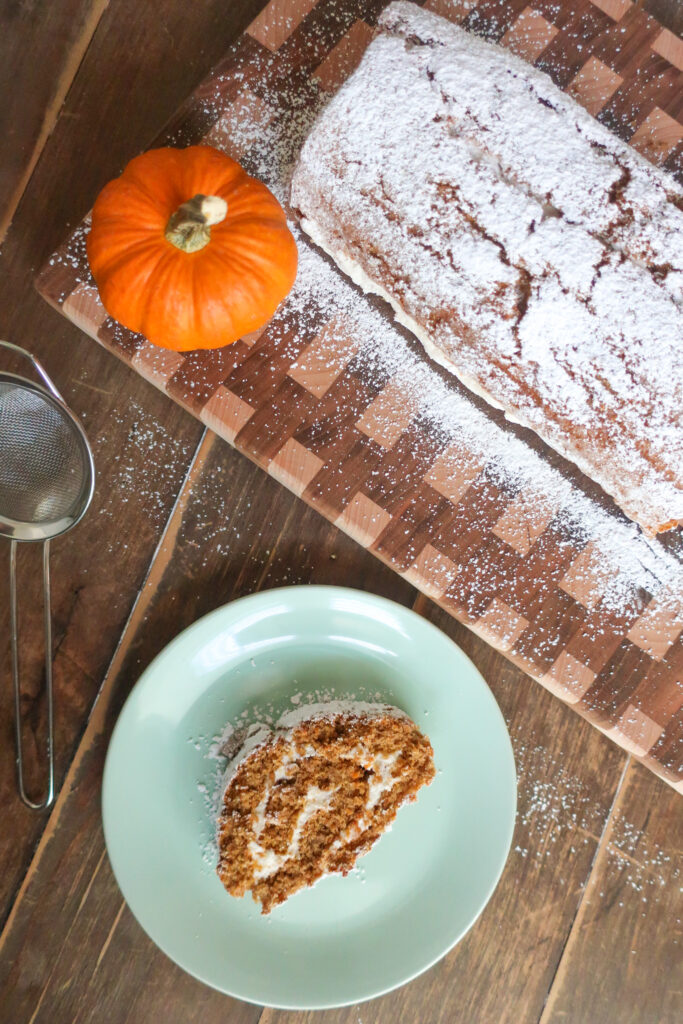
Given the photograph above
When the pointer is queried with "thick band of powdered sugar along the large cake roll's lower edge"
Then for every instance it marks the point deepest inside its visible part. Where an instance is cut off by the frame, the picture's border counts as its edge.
(629, 561)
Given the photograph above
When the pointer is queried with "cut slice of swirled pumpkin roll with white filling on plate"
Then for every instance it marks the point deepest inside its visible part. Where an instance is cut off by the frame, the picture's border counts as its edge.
(309, 797)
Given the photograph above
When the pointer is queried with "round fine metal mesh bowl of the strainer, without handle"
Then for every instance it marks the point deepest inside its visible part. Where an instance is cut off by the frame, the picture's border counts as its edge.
(44, 464)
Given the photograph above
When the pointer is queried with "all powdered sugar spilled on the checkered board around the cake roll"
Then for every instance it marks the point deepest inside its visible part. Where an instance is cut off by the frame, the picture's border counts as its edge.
(632, 566)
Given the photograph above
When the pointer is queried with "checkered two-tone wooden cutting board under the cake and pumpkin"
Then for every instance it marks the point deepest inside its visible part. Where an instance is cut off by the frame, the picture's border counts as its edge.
(298, 400)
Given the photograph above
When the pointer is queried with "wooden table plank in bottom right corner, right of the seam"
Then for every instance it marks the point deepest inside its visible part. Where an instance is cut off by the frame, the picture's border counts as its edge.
(624, 961)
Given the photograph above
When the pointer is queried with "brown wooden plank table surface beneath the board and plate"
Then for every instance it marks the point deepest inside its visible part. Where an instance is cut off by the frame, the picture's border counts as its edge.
(586, 924)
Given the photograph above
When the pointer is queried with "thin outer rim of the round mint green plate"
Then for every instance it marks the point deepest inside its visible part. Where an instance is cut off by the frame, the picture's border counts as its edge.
(325, 592)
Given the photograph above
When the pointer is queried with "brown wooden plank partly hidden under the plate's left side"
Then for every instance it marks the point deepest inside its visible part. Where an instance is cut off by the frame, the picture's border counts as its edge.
(71, 953)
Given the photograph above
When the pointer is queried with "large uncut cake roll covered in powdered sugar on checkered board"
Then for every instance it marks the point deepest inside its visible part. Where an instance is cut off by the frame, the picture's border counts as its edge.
(535, 255)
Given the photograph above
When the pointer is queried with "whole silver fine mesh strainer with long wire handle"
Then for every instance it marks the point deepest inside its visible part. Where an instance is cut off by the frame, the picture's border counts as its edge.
(47, 483)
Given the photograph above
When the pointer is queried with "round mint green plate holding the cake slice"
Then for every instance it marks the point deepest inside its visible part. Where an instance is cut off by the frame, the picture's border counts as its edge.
(409, 901)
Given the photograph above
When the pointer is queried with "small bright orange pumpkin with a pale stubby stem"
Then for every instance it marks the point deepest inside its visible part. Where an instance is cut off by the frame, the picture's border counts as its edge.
(190, 250)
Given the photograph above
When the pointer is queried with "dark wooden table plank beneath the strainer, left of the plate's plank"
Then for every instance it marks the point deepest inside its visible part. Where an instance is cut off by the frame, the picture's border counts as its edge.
(139, 68)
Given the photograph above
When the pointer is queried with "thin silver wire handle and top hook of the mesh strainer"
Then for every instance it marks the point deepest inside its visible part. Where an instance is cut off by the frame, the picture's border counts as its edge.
(48, 636)
